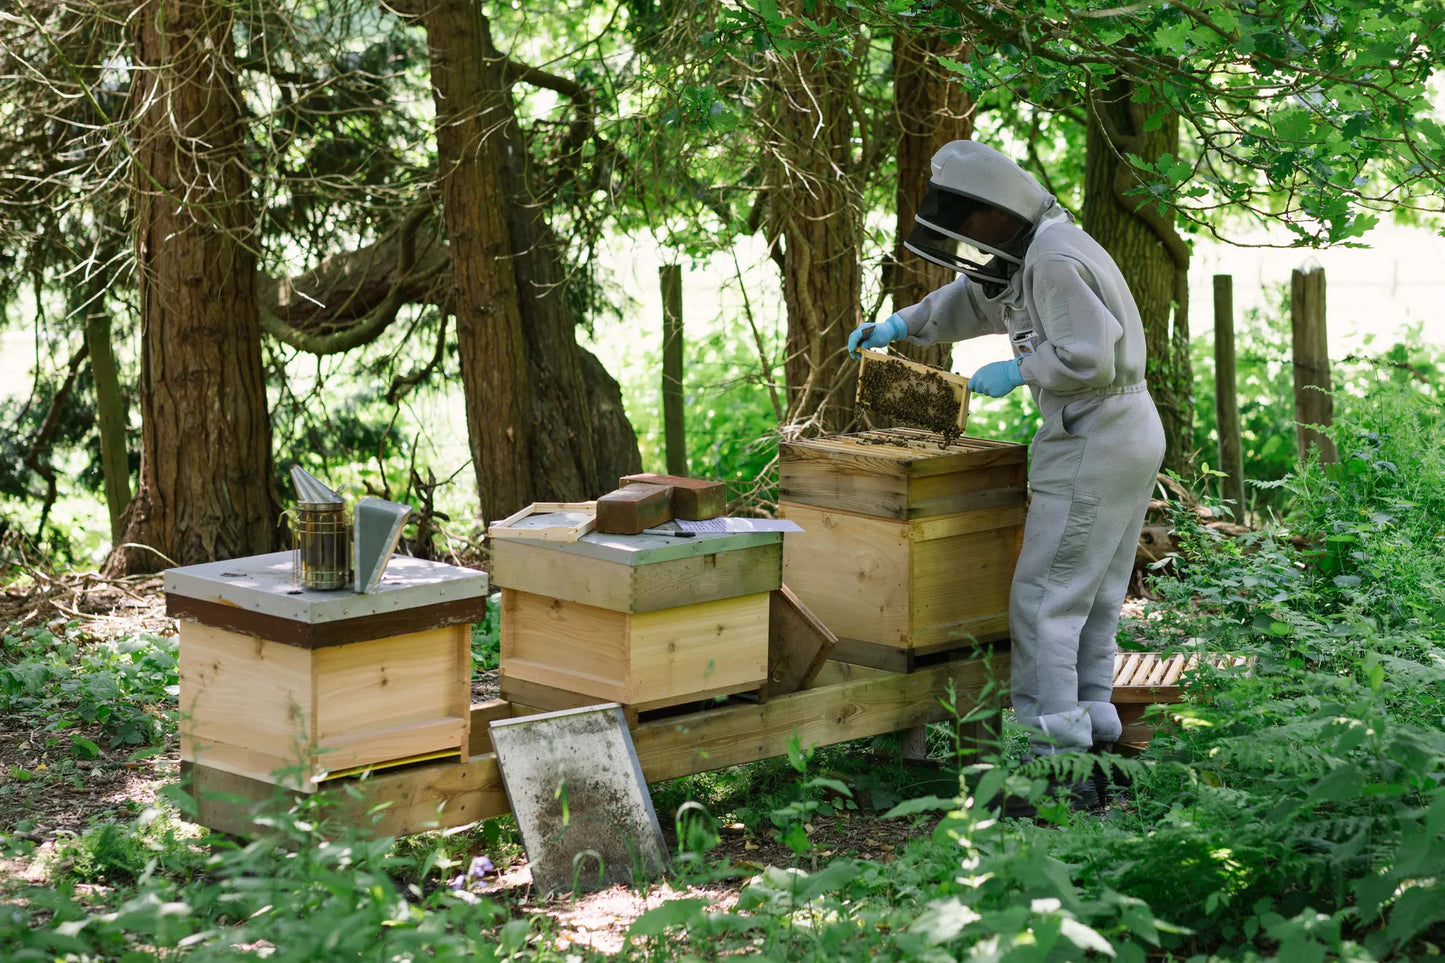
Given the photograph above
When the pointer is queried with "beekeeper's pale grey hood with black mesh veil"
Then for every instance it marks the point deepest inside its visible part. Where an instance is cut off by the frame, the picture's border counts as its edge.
(967, 177)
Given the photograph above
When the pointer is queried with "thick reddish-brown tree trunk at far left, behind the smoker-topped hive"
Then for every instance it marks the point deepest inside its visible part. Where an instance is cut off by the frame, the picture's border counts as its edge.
(206, 485)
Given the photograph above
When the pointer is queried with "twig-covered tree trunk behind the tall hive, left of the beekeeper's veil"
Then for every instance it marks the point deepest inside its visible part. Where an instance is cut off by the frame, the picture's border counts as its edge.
(814, 222)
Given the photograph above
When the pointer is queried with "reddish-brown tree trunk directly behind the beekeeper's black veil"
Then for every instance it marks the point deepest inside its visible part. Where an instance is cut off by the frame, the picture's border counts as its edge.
(931, 112)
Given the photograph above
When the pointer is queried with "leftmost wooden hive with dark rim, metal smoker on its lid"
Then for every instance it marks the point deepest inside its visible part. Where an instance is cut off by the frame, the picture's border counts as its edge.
(294, 686)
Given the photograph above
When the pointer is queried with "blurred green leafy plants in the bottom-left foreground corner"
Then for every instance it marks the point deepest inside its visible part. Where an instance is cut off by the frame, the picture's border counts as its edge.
(298, 894)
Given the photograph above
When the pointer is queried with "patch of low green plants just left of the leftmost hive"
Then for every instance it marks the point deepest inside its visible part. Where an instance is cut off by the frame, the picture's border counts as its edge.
(126, 686)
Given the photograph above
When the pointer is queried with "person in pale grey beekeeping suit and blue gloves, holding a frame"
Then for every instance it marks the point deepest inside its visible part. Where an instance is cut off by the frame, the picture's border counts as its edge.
(1028, 271)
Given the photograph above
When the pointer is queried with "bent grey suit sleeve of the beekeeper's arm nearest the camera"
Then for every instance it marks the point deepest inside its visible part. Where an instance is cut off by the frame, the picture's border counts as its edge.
(1082, 333)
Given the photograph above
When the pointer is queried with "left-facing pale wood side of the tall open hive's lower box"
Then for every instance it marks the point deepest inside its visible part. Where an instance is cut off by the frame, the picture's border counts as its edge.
(852, 572)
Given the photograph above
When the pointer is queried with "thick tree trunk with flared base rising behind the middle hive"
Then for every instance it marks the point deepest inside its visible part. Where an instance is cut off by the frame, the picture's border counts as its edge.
(545, 420)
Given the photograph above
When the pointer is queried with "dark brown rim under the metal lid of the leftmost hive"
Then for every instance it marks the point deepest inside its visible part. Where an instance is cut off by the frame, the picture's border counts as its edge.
(319, 635)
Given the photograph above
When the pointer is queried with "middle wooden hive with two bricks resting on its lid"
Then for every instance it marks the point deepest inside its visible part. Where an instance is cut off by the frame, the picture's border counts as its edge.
(645, 621)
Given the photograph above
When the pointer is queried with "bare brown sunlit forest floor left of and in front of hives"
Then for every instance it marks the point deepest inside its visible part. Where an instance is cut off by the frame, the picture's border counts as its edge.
(48, 796)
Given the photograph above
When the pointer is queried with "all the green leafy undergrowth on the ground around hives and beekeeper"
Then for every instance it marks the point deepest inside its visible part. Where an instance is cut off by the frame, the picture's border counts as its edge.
(1290, 809)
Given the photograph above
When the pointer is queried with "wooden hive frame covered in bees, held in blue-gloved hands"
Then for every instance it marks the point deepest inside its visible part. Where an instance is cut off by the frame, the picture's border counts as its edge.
(898, 393)
